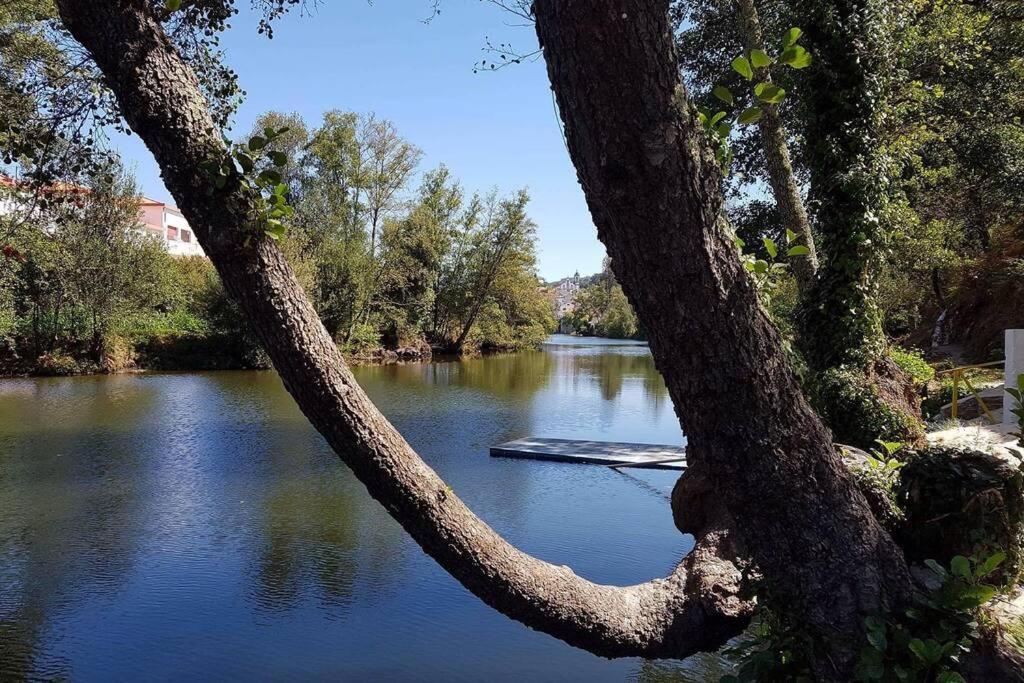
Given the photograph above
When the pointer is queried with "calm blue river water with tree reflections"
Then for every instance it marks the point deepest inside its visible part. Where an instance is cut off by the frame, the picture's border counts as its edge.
(195, 527)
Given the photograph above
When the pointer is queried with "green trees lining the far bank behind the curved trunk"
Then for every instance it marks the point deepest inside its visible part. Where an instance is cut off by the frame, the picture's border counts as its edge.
(394, 271)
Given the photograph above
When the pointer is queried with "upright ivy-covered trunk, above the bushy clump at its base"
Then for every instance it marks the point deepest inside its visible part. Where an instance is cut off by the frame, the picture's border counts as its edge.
(846, 86)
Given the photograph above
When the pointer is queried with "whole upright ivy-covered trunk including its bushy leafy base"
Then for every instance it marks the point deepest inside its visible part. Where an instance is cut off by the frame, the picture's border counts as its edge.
(864, 395)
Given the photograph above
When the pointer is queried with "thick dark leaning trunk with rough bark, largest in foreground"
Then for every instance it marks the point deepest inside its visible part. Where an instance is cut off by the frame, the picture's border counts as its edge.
(654, 192)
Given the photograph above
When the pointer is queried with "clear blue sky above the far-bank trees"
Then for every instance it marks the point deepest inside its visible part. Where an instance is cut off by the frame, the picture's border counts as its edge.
(492, 130)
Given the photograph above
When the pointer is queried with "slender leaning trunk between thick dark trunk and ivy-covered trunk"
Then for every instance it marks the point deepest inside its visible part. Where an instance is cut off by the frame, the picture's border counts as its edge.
(777, 150)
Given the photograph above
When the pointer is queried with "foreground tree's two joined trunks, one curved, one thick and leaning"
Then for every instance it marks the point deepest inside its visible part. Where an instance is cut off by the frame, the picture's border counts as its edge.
(654, 192)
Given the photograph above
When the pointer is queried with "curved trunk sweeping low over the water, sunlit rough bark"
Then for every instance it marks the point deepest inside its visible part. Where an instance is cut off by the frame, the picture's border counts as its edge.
(696, 609)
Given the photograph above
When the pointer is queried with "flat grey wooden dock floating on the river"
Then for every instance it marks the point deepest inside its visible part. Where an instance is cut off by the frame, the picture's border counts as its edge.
(610, 454)
